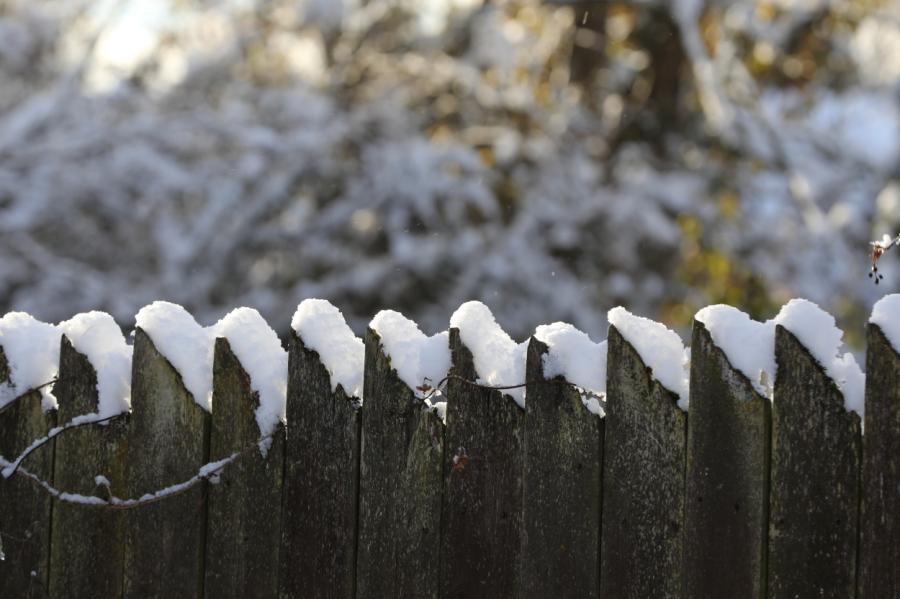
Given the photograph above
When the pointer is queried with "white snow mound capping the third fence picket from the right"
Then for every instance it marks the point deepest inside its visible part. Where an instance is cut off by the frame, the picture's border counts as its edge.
(748, 344)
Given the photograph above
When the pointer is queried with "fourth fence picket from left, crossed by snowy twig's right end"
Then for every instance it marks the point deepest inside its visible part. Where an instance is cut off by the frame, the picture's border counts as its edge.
(244, 518)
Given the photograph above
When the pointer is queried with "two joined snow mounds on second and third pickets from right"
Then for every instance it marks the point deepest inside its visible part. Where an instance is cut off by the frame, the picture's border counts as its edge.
(750, 345)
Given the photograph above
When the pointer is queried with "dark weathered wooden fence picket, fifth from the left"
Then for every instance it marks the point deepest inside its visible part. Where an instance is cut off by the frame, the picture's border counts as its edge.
(321, 483)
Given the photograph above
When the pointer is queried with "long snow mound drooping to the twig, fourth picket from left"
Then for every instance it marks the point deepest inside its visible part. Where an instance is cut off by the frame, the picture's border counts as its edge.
(259, 351)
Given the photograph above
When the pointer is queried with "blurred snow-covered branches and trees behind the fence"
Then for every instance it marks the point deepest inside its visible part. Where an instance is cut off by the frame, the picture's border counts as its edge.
(551, 159)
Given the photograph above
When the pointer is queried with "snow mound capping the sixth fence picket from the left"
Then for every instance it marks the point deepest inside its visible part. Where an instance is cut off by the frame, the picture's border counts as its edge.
(415, 356)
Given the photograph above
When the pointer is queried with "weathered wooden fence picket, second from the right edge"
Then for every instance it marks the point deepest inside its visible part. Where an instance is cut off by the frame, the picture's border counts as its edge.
(814, 495)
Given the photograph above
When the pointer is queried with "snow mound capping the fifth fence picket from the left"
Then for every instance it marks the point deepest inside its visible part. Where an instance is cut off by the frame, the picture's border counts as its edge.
(323, 329)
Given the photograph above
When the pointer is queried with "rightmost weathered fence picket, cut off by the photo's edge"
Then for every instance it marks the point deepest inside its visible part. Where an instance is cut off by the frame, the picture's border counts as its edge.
(880, 522)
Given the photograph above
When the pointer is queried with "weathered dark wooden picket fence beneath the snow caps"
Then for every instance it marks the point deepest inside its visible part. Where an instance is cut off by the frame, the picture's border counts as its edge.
(741, 497)
